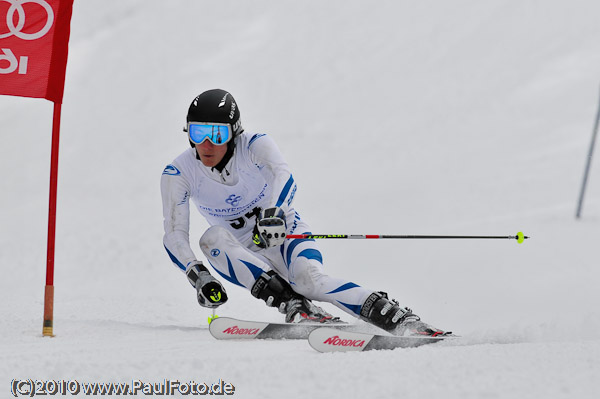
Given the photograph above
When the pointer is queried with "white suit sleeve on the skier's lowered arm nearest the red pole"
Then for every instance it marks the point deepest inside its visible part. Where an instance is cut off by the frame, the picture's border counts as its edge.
(176, 212)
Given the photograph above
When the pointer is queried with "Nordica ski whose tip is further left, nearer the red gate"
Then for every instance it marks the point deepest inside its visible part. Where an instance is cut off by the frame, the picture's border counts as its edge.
(230, 328)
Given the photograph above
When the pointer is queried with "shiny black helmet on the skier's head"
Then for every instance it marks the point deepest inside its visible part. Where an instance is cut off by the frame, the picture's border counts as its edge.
(216, 106)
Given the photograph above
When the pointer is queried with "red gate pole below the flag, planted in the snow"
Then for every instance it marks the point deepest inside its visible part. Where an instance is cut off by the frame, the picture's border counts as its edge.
(49, 291)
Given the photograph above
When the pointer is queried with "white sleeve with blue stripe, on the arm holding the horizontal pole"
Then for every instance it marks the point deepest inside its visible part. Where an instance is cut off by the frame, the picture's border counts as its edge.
(268, 158)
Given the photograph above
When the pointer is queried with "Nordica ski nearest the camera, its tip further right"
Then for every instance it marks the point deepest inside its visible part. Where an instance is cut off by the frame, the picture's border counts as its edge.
(334, 340)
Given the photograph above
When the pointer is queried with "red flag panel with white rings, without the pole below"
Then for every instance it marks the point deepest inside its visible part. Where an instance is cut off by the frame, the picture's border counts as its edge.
(34, 38)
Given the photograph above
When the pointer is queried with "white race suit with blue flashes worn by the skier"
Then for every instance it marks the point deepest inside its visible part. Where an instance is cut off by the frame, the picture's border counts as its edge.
(256, 177)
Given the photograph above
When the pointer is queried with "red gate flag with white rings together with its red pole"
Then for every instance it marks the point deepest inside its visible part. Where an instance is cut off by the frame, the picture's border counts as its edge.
(34, 40)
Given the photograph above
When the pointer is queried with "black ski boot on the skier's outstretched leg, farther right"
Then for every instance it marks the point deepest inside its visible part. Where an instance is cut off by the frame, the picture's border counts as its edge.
(388, 315)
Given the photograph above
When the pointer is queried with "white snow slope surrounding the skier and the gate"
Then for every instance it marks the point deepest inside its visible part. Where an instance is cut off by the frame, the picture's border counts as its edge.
(397, 117)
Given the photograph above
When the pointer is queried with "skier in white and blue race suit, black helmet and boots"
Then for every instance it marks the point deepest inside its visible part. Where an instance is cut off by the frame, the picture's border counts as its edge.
(242, 185)
